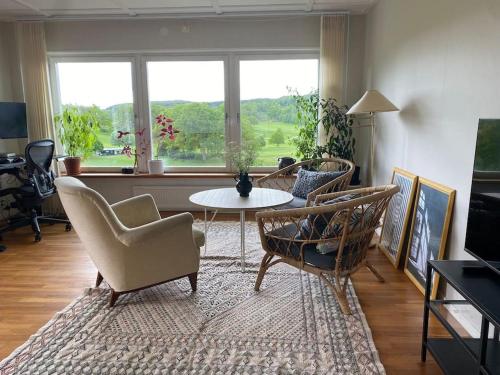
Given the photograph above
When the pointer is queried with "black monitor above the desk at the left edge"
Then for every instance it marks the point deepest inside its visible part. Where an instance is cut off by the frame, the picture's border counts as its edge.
(13, 120)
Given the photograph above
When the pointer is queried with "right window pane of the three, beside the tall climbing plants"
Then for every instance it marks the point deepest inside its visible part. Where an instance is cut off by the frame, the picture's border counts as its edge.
(268, 116)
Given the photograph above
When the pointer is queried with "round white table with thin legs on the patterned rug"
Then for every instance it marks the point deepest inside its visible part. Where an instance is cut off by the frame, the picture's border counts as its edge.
(229, 199)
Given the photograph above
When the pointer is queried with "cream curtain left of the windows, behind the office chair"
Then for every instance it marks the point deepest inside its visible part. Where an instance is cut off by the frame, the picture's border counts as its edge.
(35, 76)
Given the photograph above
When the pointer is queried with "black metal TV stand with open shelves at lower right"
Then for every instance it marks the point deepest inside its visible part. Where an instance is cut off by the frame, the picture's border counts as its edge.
(480, 288)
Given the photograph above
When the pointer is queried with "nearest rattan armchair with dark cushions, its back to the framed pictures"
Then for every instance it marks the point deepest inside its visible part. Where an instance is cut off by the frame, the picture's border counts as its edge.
(295, 236)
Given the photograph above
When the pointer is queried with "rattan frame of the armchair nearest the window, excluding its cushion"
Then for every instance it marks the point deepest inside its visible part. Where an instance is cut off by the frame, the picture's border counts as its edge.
(284, 179)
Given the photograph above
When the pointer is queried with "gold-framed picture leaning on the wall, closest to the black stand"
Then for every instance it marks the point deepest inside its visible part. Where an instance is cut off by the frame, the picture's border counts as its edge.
(432, 212)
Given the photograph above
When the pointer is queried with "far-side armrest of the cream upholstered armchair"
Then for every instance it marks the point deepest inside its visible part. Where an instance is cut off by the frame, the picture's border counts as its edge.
(136, 211)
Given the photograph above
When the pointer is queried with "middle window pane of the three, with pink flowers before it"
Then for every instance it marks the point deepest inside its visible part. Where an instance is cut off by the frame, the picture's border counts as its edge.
(192, 94)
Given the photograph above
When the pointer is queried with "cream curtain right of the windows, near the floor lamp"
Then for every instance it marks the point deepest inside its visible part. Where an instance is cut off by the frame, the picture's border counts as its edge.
(333, 60)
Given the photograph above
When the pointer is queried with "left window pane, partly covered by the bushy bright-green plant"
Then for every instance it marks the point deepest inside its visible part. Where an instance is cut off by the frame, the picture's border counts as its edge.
(106, 88)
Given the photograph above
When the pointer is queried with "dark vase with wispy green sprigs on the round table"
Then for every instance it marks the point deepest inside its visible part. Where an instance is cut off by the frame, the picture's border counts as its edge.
(241, 158)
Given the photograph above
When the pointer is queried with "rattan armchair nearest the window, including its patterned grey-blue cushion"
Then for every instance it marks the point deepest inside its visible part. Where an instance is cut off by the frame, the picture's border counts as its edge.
(336, 175)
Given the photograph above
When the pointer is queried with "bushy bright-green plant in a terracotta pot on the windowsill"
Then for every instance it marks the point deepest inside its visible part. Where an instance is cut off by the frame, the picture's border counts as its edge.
(76, 129)
